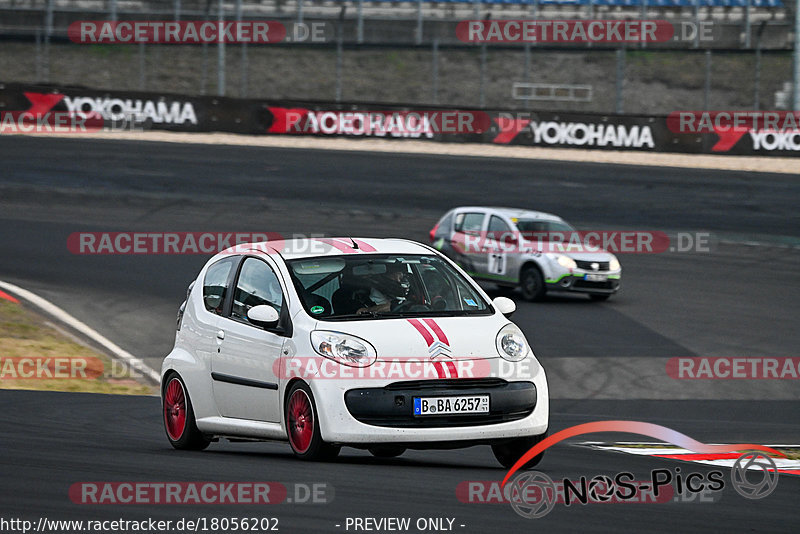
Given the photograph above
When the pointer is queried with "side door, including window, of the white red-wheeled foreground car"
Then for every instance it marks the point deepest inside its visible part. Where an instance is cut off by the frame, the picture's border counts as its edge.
(243, 369)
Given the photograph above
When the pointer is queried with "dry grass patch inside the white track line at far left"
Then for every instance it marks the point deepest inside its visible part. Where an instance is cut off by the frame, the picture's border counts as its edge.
(26, 336)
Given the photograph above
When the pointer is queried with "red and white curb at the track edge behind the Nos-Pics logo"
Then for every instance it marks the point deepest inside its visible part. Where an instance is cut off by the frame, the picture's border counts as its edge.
(670, 452)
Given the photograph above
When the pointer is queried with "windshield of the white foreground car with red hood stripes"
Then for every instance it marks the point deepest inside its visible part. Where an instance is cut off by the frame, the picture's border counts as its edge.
(383, 286)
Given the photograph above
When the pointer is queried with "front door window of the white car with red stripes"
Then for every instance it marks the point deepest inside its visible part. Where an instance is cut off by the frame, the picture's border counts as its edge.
(257, 284)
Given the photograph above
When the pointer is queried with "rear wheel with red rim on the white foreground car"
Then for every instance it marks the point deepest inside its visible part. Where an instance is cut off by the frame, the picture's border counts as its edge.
(178, 416)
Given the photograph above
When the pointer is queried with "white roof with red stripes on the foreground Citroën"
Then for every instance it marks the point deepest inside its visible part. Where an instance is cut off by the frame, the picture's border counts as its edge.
(291, 249)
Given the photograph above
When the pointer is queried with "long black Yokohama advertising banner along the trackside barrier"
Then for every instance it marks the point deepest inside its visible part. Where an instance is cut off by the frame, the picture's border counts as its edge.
(44, 108)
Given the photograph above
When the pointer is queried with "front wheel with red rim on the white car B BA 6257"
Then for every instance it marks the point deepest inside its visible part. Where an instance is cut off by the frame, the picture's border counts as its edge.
(302, 426)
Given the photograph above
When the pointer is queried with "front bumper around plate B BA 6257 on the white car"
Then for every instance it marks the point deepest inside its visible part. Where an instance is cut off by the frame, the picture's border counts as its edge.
(366, 412)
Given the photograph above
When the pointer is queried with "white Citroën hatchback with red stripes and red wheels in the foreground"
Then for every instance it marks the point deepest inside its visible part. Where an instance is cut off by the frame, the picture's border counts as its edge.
(380, 344)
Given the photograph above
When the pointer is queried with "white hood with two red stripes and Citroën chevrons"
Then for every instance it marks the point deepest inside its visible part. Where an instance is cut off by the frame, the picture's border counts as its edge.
(440, 338)
